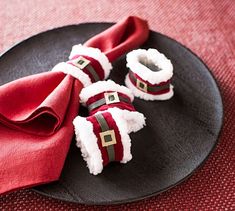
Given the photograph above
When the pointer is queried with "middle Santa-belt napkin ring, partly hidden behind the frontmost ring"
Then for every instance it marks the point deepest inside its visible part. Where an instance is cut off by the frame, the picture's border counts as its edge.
(106, 94)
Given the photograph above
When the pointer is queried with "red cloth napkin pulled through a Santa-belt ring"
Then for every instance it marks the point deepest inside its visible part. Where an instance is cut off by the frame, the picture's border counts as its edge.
(36, 113)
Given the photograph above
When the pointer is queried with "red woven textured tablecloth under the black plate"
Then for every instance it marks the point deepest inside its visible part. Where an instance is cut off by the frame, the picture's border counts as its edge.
(205, 26)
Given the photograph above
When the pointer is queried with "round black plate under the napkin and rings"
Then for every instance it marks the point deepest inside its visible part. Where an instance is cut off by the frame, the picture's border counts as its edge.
(179, 136)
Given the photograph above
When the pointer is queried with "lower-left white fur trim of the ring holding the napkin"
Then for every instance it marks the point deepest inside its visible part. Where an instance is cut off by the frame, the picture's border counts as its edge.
(73, 71)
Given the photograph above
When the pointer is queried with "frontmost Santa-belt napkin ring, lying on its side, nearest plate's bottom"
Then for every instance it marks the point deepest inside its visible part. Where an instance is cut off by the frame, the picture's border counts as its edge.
(104, 137)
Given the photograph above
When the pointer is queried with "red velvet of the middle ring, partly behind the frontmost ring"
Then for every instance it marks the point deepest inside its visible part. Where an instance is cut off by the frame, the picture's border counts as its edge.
(122, 105)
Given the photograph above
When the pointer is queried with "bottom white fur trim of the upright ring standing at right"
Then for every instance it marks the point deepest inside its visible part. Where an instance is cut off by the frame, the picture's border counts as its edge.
(147, 96)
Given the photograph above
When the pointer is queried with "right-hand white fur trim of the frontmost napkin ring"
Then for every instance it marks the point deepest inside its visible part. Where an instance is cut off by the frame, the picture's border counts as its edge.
(127, 122)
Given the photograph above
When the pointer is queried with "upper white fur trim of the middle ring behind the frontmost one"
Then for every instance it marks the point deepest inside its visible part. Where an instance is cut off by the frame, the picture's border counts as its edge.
(103, 86)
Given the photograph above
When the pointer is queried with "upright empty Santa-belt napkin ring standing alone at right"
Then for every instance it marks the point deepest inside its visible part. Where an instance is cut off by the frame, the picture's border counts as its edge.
(149, 74)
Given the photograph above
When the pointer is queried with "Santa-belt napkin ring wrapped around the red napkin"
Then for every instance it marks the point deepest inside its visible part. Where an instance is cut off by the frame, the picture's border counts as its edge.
(87, 64)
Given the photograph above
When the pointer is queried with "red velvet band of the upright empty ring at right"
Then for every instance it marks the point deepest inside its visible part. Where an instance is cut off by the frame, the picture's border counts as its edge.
(149, 84)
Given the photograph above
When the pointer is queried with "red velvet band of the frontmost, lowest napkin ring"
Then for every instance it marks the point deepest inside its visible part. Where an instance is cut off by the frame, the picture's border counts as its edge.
(118, 148)
